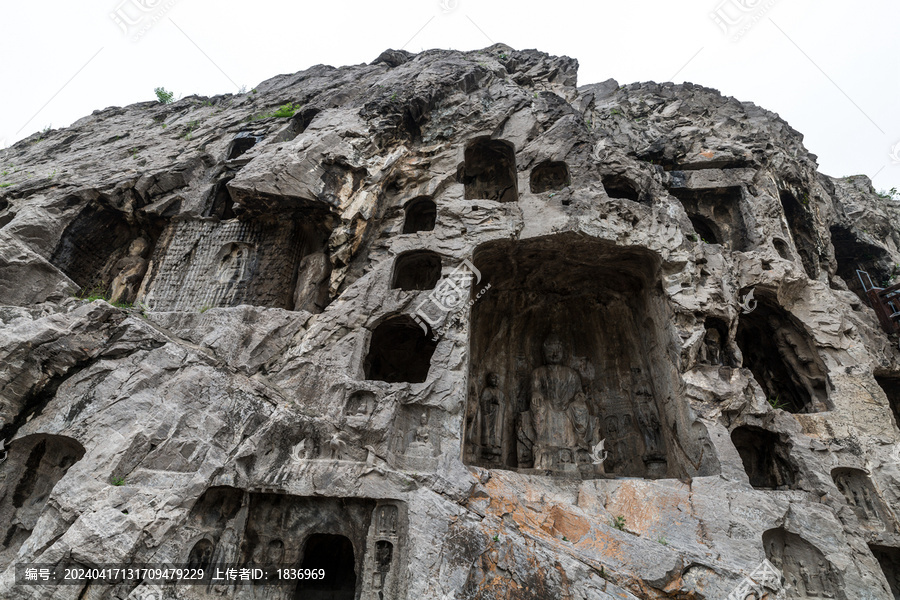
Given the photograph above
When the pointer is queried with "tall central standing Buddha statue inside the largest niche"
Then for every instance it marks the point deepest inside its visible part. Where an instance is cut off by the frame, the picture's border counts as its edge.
(559, 411)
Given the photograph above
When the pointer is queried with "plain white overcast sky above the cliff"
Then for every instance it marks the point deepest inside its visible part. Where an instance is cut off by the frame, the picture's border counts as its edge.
(829, 68)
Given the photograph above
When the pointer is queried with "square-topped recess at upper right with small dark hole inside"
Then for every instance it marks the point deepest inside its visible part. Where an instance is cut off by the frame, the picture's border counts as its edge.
(715, 214)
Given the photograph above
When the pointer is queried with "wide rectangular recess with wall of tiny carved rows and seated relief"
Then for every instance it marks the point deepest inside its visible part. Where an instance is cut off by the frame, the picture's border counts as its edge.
(273, 263)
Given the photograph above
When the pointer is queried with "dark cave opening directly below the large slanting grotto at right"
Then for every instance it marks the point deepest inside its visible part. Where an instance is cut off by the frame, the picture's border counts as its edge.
(766, 458)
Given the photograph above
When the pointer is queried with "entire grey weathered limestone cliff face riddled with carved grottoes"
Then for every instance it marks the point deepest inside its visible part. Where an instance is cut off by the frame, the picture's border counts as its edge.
(457, 328)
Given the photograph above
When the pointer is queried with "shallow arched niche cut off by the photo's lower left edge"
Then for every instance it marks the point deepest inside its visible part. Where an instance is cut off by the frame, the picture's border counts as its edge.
(34, 466)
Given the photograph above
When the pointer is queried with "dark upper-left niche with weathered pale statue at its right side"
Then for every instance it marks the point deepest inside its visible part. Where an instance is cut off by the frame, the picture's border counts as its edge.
(104, 253)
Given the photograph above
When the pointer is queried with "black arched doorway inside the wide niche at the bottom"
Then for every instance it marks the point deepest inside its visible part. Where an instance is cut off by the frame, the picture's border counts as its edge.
(333, 554)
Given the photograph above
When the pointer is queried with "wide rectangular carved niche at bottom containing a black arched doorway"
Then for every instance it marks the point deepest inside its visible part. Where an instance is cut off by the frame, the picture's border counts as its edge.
(360, 543)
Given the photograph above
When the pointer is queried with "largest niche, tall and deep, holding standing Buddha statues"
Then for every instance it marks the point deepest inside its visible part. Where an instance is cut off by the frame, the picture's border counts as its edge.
(570, 348)
